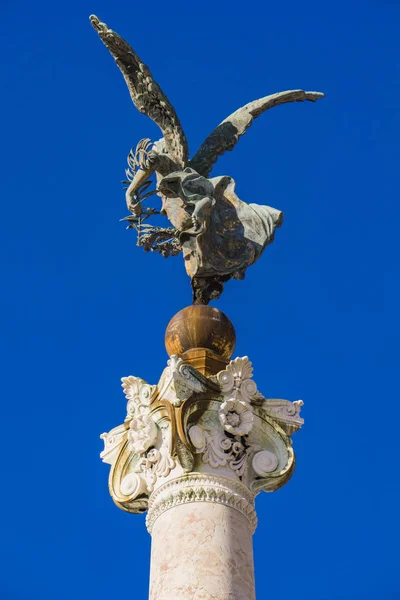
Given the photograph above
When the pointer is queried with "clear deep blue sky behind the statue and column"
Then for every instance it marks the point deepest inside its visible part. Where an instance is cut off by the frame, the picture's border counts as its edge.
(82, 306)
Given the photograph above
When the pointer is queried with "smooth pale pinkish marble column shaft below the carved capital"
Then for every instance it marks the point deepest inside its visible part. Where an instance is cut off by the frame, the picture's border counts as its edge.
(202, 550)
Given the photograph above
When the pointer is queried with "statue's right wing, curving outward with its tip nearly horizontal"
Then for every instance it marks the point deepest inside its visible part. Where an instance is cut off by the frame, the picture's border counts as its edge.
(225, 136)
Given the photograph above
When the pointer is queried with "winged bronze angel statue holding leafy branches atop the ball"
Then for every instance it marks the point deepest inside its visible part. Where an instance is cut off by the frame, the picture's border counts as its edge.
(218, 234)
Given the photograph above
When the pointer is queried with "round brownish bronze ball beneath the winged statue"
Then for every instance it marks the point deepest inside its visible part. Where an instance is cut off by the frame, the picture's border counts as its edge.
(200, 327)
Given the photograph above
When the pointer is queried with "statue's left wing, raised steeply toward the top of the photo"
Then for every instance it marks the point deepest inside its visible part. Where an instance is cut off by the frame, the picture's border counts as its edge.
(146, 94)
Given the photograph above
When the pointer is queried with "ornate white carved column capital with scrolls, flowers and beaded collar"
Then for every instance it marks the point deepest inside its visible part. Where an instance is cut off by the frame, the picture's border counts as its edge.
(198, 438)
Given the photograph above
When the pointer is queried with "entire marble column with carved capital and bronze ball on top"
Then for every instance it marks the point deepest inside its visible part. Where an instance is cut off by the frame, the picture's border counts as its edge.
(194, 451)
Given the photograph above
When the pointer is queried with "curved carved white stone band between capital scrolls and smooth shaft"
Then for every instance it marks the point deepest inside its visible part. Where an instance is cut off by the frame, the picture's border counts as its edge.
(200, 487)
